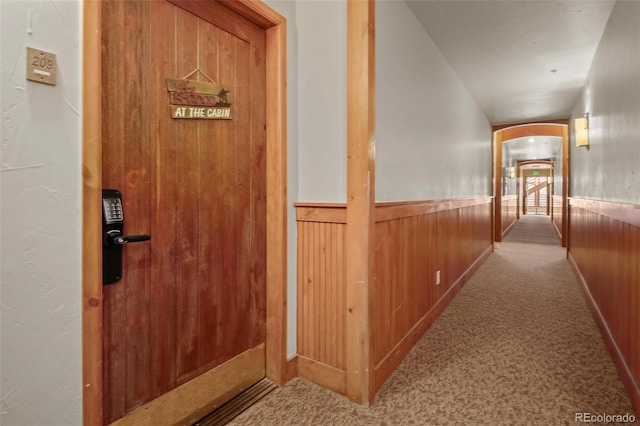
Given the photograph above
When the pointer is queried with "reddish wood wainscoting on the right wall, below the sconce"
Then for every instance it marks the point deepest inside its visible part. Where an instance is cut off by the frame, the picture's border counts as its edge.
(604, 249)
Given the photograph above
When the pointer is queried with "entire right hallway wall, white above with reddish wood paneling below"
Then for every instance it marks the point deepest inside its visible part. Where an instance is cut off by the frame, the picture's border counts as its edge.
(604, 213)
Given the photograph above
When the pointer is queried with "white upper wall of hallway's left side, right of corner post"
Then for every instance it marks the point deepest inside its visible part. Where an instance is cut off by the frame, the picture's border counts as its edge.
(432, 139)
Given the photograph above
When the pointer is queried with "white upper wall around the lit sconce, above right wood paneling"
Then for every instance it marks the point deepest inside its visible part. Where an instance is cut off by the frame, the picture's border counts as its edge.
(610, 169)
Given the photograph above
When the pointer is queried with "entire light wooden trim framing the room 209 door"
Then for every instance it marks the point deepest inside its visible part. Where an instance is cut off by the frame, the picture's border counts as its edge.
(276, 362)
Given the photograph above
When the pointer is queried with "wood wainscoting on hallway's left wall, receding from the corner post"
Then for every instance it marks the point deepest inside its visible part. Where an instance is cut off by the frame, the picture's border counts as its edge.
(422, 238)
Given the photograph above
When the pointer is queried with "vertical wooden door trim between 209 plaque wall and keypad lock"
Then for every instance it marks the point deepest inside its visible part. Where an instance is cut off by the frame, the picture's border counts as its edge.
(91, 214)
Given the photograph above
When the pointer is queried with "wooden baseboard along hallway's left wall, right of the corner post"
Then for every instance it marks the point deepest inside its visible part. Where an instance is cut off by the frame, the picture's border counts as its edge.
(389, 363)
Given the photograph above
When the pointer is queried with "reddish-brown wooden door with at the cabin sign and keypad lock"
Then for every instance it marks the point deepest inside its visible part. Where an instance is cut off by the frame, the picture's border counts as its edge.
(193, 298)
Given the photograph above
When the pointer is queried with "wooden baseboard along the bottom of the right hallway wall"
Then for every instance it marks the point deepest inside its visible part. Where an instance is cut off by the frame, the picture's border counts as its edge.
(624, 372)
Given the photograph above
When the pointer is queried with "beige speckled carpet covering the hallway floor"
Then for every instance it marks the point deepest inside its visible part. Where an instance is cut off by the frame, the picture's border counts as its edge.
(517, 346)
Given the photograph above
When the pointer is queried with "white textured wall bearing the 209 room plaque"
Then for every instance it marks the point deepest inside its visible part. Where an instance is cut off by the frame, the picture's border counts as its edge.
(41, 354)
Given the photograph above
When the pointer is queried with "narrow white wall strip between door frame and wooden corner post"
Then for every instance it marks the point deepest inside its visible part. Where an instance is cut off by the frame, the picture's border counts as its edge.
(322, 100)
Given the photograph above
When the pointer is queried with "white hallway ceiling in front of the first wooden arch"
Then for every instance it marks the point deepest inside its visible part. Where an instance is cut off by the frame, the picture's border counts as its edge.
(521, 60)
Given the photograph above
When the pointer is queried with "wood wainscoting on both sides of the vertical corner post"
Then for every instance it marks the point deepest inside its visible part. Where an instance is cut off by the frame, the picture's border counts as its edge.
(413, 241)
